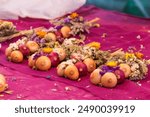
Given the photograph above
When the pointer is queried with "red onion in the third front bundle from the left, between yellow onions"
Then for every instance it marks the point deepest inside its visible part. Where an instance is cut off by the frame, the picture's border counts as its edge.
(82, 68)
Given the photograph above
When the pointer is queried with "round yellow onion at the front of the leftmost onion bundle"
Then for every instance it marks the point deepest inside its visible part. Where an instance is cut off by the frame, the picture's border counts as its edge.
(16, 56)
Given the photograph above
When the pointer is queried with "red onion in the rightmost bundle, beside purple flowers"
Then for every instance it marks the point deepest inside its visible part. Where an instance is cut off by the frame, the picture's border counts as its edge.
(120, 76)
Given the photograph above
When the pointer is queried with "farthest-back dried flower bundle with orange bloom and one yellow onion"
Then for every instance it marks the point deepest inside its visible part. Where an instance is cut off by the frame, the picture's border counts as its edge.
(74, 24)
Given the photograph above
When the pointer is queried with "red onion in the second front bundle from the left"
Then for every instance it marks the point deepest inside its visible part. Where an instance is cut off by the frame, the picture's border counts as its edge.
(54, 59)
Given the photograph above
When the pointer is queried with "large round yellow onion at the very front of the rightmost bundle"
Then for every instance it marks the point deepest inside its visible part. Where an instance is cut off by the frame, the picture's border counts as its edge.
(109, 80)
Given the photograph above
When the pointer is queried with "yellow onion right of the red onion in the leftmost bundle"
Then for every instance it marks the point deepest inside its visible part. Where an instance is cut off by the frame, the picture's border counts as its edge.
(33, 46)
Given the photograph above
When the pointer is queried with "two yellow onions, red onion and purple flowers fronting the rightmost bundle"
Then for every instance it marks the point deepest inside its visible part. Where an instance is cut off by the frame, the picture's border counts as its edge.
(107, 76)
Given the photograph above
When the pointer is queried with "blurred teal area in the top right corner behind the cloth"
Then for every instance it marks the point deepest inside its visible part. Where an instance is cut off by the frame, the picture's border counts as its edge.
(135, 7)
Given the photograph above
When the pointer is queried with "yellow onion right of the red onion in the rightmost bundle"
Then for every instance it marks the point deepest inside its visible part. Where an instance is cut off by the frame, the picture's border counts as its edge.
(126, 69)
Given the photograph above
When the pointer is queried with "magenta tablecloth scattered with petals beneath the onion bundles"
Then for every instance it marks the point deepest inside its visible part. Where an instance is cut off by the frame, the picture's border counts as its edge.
(122, 31)
